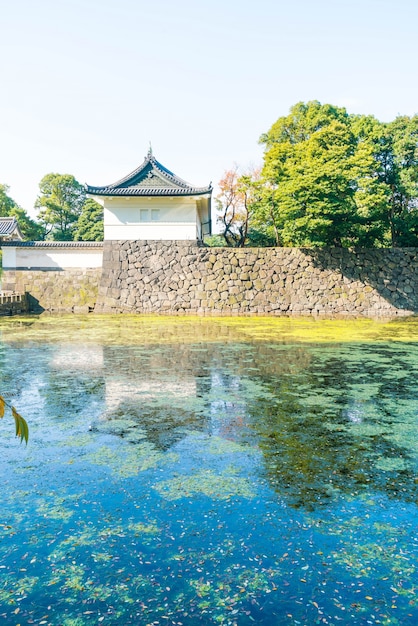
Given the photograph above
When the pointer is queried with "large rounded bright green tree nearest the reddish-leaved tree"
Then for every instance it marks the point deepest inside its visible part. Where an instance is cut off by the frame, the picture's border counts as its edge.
(314, 165)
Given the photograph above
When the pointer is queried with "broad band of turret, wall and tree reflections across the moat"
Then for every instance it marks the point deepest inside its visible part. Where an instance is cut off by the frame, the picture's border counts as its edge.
(324, 419)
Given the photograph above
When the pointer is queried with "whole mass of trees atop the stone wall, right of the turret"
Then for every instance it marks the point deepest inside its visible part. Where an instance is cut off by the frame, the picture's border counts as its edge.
(330, 178)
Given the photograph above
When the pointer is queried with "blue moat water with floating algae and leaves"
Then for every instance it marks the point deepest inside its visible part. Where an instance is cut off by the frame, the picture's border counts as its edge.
(185, 471)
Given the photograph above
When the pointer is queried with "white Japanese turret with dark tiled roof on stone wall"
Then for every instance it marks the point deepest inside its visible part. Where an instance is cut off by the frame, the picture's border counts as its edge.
(153, 203)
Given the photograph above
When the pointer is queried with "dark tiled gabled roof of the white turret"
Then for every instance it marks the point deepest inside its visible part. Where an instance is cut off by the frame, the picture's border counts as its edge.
(149, 179)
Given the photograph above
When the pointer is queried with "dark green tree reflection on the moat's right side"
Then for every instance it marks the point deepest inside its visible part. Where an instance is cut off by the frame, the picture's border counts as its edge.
(310, 446)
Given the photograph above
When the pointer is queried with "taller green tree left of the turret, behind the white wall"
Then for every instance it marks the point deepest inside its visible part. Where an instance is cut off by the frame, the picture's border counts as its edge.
(60, 204)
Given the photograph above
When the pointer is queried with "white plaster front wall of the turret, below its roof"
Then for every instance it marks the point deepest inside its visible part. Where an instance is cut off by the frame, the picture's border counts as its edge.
(150, 218)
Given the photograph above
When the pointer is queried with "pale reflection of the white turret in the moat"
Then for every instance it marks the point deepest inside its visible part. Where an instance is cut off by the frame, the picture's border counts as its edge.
(159, 391)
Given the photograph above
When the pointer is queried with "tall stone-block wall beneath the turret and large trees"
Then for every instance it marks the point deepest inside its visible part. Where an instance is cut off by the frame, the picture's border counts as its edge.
(177, 277)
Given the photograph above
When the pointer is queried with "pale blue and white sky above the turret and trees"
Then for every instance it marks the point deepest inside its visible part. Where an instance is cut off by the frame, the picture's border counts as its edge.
(87, 85)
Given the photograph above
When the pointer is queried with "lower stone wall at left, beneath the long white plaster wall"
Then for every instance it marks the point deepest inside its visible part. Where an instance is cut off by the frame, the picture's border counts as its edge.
(64, 290)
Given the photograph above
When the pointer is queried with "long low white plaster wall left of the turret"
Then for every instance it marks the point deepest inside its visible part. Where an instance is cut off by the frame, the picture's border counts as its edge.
(52, 258)
